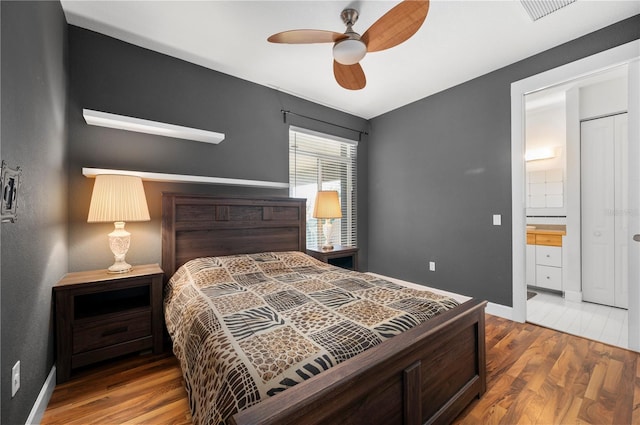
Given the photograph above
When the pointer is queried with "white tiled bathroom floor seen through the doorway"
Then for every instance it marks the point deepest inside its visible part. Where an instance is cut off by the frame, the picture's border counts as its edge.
(594, 321)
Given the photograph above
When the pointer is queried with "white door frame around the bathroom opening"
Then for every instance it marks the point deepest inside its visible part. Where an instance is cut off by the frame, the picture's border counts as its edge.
(629, 54)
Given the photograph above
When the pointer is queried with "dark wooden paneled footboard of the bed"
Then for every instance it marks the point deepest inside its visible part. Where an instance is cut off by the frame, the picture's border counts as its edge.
(428, 374)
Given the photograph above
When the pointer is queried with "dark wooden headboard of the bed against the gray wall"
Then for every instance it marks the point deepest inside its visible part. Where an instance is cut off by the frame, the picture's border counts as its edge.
(204, 226)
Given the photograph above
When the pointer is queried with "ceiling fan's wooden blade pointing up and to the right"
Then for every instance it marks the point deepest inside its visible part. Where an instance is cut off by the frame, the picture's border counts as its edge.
(396, 26)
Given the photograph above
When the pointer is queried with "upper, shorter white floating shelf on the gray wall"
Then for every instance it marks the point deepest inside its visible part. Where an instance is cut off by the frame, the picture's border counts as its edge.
(122, 122)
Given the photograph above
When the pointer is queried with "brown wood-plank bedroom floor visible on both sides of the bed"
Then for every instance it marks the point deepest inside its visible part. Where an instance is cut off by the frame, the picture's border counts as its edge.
(534, 376)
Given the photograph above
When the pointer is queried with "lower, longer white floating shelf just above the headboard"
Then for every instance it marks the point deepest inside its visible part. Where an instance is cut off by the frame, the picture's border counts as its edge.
(182, 178)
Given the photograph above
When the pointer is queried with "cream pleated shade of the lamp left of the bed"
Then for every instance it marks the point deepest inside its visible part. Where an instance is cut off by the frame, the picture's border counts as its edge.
(118, 198)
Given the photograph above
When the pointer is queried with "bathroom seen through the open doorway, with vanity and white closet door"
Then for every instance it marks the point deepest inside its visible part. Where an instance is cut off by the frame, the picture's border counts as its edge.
(598, 157)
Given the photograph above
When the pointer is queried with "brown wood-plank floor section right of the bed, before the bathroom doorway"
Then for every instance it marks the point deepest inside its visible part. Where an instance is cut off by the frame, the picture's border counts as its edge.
(537, 375)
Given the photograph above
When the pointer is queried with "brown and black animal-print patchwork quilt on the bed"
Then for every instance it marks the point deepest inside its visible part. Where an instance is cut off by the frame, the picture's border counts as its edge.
(246, 327)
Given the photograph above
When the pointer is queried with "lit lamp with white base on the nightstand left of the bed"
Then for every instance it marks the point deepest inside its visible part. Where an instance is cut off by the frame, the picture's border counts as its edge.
(118, 198)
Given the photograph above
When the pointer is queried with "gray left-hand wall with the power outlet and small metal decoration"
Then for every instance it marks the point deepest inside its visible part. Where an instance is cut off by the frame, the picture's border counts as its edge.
(34, 249)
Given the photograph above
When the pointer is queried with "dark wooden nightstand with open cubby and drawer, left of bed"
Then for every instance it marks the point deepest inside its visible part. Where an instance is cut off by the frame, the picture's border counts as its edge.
(100, 316)
